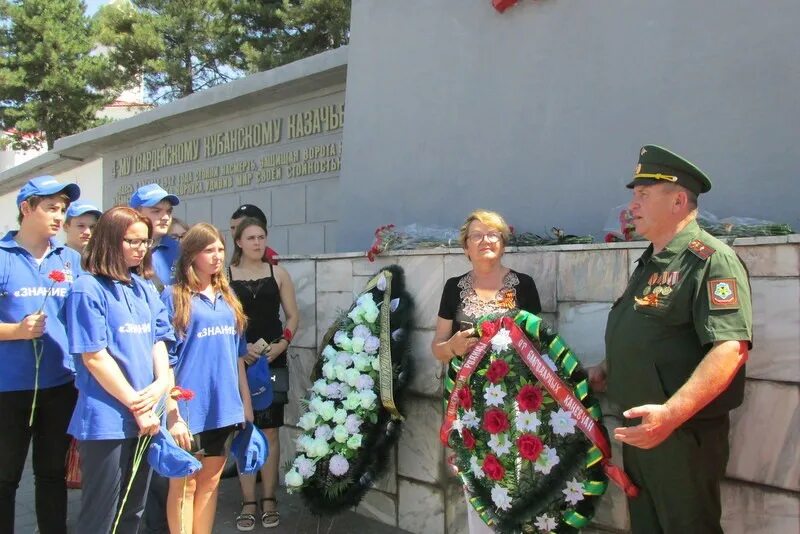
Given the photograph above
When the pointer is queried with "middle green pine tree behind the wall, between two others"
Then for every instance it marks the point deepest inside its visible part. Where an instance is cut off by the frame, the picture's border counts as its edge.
(178, 46)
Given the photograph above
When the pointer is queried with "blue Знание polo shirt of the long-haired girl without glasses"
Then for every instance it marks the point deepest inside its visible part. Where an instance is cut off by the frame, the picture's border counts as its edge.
(205, 361)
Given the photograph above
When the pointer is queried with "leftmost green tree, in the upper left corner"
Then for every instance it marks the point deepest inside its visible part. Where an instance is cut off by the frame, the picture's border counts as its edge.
(53, 80)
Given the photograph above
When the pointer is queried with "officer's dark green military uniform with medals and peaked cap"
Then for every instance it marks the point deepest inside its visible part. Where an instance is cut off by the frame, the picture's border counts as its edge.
(678, 302)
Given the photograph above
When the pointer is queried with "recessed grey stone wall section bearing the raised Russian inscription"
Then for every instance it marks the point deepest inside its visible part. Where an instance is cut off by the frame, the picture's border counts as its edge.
(284, 157)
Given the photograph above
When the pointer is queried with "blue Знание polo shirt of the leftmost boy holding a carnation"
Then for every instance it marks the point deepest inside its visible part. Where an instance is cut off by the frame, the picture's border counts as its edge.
(24, 284)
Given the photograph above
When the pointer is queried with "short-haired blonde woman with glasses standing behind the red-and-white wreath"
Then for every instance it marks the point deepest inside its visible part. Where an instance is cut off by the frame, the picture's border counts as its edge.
(488, 288)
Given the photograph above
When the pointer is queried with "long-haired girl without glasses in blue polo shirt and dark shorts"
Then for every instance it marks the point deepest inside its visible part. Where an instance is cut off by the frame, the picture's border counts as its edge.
(206, 359)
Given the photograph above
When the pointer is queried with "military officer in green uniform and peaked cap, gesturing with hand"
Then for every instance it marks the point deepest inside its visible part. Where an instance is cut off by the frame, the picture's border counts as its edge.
(676, 344)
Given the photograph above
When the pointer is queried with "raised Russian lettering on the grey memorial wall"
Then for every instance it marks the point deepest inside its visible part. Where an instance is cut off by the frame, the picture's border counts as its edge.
(279, 150)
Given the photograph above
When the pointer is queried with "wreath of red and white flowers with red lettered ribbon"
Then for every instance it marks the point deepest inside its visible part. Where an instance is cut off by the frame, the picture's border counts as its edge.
(527, 442)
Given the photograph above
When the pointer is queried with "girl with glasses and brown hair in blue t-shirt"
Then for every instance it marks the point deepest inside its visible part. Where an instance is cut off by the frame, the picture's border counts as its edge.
(116, 327)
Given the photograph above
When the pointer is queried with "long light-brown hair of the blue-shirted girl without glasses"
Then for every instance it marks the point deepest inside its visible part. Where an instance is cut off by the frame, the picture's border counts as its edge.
(187, 282)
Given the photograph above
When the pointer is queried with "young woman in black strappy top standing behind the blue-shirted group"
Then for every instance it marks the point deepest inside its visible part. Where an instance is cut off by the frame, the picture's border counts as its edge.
(262, 289)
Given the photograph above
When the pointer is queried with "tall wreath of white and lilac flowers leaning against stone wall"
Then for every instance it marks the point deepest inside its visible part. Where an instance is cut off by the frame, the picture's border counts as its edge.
(352, 416)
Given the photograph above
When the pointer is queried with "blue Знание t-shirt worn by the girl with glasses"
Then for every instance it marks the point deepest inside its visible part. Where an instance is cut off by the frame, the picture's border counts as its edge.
(126, 320)
